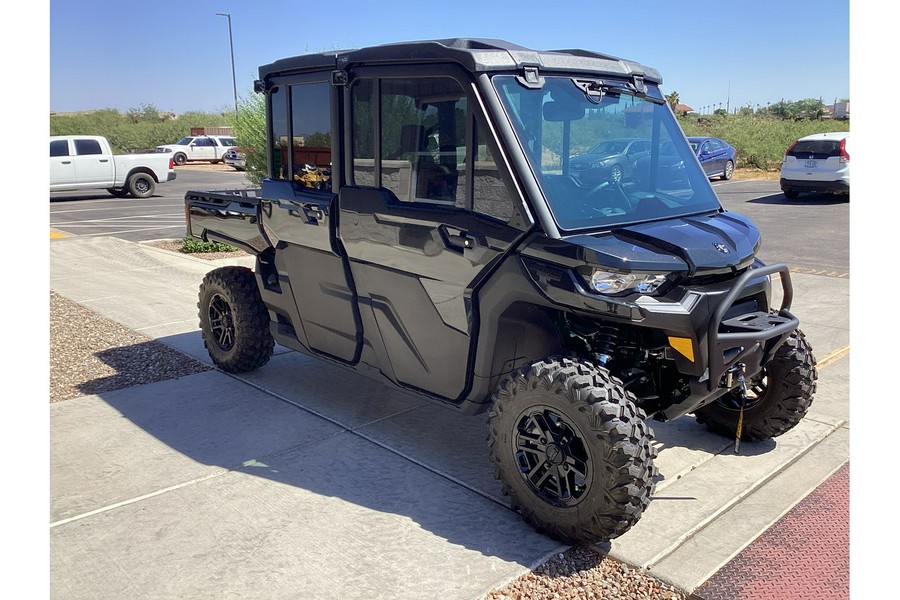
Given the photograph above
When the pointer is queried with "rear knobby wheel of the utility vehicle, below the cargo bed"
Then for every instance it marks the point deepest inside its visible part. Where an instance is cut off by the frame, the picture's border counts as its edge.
(234, 321)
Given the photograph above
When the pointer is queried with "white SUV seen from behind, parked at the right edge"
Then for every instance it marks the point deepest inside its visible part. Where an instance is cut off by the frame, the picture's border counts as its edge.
(817, 163)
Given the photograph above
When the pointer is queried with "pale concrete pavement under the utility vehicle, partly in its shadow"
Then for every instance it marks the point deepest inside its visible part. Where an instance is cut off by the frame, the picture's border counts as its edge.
(303, 480)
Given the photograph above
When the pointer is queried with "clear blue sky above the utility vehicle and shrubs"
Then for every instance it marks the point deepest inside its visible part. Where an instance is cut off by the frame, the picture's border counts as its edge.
(175, 56)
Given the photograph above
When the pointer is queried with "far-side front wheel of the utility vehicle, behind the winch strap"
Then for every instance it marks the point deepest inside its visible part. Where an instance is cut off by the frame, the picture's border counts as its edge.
(778, 397)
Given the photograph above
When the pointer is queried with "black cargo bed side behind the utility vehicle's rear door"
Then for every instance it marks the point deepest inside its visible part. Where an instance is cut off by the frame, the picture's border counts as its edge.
(229, 216)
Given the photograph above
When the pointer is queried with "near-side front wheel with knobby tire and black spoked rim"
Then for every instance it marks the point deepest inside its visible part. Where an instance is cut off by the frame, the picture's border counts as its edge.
(572, 450)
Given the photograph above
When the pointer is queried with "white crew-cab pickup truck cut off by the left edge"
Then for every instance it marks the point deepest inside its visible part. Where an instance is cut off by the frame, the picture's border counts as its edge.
(86, 161)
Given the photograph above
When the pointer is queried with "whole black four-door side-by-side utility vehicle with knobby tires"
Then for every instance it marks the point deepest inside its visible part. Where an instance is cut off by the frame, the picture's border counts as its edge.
(515, 231)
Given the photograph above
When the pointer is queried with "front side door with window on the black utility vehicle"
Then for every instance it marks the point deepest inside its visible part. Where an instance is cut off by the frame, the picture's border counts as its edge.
(422, 221)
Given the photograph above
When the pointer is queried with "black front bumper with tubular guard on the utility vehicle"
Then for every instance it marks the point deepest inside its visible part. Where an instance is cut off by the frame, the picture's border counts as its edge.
(710, 329)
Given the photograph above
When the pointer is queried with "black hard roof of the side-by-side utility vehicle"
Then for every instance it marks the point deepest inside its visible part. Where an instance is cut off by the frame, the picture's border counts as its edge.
(476, 55)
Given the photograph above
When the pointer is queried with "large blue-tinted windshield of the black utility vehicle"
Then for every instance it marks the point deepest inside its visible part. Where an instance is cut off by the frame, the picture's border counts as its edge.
(603, 155)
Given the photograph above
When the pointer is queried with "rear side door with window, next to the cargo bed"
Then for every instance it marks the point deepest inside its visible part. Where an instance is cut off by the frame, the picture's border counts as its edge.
(301, 219)
